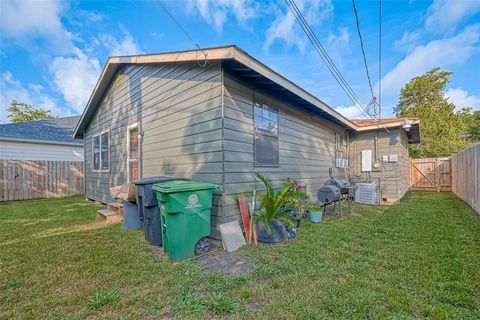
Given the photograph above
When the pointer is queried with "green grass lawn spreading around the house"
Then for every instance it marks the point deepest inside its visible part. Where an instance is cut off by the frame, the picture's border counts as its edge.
(418, 259)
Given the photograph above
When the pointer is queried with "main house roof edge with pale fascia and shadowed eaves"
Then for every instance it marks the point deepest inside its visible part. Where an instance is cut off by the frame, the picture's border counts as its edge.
(233, 60)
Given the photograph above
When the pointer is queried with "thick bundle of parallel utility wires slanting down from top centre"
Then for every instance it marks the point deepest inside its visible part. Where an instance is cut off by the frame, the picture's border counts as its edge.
(326, 58)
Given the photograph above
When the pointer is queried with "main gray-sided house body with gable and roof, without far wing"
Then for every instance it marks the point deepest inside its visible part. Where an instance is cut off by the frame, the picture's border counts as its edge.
(216, 115)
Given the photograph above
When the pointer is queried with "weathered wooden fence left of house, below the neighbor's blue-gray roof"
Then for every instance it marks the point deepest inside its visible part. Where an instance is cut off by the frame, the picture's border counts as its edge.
(22, 180)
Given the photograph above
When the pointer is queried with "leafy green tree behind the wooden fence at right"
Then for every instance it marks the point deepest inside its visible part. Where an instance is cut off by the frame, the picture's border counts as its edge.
(443, 130)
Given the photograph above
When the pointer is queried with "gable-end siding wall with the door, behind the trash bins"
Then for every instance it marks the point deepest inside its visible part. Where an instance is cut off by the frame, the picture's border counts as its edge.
(178, 108)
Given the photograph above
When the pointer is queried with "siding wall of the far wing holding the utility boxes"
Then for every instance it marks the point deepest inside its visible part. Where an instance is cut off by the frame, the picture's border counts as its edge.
(393, 177)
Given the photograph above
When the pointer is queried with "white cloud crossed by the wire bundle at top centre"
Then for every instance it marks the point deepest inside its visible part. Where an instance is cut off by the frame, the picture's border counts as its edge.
(285, 28)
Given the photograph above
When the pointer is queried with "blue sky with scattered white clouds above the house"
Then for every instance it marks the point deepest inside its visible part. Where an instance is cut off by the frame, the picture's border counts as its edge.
(52, 52)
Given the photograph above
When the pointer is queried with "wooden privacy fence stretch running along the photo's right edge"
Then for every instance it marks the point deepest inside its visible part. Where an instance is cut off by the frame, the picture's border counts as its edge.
(466, 176)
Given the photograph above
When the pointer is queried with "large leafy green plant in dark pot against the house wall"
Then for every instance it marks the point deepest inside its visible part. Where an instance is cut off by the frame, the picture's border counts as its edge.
(271, 217)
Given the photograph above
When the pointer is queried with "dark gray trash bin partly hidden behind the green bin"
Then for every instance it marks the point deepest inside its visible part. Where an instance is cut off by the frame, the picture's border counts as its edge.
(148, 210)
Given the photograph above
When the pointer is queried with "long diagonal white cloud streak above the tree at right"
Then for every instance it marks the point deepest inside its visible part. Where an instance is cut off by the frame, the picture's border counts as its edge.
(441, 53)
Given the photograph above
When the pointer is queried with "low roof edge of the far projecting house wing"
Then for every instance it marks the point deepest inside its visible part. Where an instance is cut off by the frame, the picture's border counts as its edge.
(413, 132)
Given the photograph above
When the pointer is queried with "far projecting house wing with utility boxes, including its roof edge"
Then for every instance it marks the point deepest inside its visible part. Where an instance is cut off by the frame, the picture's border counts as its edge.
(387, 140)
